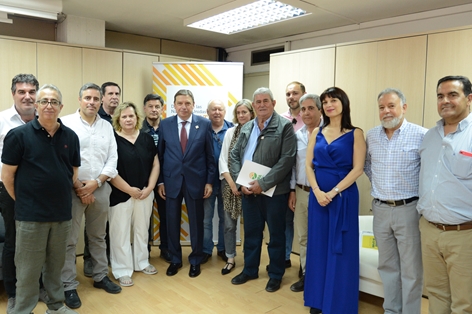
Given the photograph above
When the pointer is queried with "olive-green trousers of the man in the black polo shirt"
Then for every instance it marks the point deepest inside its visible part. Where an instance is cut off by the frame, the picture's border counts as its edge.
(40, 247)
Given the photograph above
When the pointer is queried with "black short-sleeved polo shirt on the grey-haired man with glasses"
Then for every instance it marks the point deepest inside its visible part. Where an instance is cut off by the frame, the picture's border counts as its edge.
(43, 180)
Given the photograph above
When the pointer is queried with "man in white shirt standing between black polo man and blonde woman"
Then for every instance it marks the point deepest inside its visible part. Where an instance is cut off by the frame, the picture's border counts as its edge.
(91, 194)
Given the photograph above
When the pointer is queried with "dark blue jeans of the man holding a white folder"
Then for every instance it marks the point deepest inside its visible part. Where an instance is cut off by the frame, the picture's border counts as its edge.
(257, 210)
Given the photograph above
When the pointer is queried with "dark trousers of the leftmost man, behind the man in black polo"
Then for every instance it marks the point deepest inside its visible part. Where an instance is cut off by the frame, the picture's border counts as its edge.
(7, 207)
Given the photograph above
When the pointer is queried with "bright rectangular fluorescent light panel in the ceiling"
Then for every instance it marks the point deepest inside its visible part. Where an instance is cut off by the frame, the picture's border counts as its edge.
(249, 16)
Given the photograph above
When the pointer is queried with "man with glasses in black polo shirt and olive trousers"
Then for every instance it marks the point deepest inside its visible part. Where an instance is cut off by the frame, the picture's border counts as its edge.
(40, 164)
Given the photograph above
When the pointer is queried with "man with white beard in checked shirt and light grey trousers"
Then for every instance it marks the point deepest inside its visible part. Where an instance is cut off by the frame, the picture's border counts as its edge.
(393, 166)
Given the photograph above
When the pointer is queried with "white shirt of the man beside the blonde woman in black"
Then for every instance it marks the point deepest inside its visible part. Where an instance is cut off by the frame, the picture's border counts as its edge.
(98, 152)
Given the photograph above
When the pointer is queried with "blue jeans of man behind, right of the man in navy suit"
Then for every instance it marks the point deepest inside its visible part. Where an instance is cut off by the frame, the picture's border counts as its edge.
(209, 208)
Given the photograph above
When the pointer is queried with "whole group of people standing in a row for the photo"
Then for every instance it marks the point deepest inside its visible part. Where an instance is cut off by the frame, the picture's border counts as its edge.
(109, 162)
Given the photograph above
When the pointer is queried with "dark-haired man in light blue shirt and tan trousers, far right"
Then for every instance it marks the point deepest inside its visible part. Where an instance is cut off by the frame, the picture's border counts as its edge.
(446, 200)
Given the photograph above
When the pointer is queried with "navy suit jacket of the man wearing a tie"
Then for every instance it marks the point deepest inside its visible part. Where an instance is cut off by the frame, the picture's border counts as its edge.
(197, 165)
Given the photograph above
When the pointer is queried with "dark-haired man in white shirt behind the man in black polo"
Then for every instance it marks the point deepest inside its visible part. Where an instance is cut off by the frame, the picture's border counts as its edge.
(23, 88)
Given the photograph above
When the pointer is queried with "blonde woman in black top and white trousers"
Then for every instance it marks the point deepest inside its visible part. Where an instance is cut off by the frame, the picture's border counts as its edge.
(132, 195)
